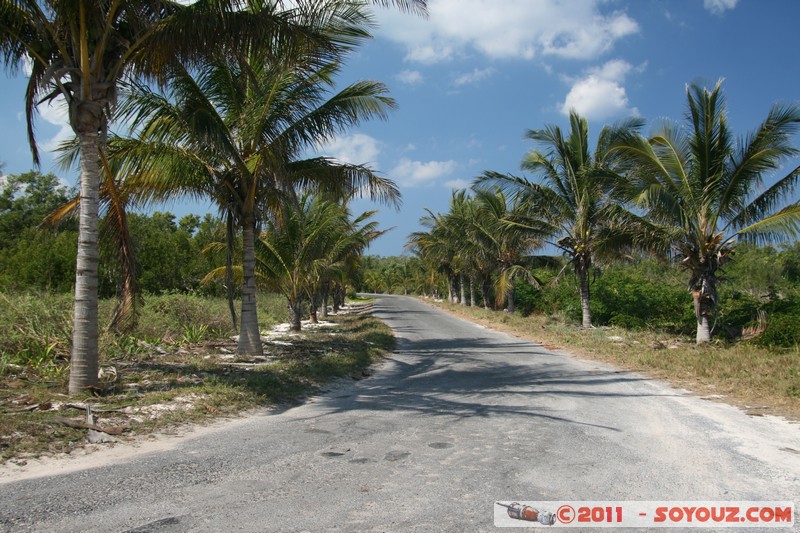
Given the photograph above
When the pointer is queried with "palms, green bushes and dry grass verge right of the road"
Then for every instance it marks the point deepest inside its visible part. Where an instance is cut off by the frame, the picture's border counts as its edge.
(688, 231)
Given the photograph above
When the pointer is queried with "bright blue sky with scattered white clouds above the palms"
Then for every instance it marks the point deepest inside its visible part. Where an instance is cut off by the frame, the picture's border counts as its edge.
(476, 74)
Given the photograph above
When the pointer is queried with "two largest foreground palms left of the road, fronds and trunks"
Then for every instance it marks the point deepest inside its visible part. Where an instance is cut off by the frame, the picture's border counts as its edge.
(224, 97)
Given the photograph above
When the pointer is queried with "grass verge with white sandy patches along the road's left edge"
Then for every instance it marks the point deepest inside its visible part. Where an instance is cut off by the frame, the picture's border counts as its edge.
(160, 387)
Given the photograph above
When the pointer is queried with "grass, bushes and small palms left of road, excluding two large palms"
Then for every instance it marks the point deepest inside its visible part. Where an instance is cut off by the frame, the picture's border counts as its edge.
(177, 360)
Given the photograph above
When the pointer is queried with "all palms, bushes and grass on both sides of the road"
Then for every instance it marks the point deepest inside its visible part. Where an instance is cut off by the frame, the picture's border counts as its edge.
(121, 310)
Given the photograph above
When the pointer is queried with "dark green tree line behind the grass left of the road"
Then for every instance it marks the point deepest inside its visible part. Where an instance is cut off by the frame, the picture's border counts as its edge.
(171, 255)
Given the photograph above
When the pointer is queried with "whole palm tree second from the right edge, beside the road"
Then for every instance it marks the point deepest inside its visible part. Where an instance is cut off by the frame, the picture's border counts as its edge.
(572, 200)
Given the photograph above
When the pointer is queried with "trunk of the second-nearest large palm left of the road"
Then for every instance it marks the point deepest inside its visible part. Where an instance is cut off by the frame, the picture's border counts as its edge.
(249, 336)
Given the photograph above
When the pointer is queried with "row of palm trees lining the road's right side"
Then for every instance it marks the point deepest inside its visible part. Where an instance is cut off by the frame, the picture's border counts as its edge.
(690, 191)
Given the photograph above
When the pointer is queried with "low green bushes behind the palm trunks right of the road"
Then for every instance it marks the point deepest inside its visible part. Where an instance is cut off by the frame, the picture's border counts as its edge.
(758, 302)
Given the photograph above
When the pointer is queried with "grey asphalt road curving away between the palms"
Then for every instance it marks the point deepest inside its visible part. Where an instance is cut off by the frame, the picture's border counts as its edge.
(458, 418)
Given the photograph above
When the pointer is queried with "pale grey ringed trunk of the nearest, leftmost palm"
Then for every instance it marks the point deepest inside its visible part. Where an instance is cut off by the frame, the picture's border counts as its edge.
(84, 358)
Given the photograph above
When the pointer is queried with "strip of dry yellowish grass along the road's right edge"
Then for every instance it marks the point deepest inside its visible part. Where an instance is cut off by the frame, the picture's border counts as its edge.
(759, 380)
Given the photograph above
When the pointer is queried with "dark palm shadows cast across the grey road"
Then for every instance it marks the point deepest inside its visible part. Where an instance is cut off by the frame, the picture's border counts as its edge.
(464, 378)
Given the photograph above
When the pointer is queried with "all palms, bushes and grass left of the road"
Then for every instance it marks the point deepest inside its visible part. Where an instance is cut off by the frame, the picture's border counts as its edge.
(111, 309)
